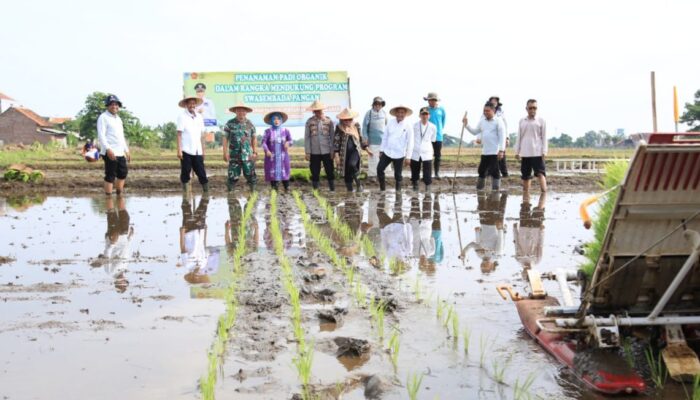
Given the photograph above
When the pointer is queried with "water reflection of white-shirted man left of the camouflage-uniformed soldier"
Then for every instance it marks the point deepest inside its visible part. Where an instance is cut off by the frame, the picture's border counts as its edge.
(199, 260)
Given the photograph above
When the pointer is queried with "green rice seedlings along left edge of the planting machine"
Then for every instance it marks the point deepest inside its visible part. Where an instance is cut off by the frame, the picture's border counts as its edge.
(614, 173)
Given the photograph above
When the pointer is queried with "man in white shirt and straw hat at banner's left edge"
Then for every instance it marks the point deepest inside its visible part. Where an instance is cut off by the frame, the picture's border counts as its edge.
(190, 127)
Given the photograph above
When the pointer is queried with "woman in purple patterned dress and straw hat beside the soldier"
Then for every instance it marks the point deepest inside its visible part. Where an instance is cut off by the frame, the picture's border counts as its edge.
(276, 142)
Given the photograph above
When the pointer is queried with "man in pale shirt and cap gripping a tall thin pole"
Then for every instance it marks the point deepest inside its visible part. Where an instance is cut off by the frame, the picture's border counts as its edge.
(493, 137)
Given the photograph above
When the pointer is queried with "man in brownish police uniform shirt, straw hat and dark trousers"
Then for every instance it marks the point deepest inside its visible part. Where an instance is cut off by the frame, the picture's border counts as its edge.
(318, 145)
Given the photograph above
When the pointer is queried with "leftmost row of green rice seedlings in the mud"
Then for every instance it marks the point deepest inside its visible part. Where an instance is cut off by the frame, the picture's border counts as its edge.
(227, 320)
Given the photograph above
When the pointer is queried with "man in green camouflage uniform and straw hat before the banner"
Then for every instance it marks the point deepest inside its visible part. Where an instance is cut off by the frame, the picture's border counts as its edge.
(240, 145)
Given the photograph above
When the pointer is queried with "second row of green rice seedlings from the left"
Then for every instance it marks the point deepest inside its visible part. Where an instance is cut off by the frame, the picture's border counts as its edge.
(304, 358)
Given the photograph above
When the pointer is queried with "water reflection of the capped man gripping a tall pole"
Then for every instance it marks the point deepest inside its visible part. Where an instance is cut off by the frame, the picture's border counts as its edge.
(490, 236)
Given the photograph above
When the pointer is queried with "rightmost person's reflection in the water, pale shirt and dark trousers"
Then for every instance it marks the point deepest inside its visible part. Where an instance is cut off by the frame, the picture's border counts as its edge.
(529, 236)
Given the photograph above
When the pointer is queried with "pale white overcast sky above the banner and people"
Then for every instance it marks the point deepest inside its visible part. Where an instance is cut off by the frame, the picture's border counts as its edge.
(587, 62)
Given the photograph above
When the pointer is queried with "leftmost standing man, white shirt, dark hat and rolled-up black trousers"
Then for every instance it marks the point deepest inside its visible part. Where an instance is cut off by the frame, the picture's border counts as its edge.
(114, 150)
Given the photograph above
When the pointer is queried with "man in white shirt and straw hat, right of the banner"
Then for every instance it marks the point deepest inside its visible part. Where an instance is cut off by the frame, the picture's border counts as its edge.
(397, 146)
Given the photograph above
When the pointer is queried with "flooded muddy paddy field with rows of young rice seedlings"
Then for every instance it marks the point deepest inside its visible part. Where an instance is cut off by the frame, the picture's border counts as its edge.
(363, 295)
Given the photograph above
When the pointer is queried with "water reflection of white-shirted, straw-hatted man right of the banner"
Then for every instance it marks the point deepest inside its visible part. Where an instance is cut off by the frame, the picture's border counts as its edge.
(397, 236)
